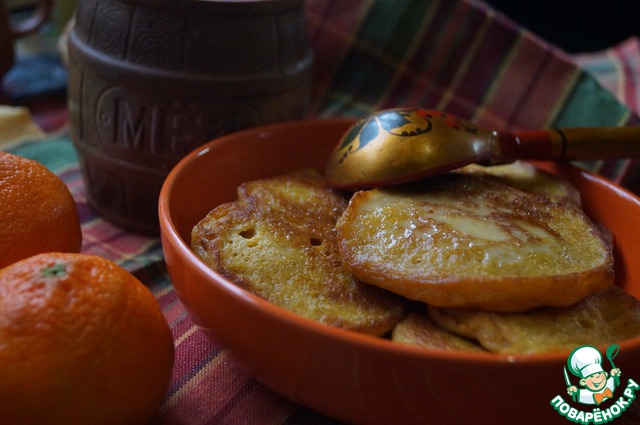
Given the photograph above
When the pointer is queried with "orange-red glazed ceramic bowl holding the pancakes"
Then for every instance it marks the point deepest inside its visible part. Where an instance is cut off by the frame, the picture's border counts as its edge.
(353, 377)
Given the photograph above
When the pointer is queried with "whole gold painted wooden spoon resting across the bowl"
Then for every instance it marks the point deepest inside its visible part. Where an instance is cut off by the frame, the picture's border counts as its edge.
(400, 145)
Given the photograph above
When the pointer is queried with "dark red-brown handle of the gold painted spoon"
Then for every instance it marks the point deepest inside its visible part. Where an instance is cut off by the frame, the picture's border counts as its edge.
(570, 144)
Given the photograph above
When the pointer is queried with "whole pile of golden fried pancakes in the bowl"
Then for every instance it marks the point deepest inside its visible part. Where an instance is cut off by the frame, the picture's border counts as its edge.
(500, 259)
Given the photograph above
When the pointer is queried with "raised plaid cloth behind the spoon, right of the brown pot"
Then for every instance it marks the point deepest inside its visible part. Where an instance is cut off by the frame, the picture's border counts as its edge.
(461, 57)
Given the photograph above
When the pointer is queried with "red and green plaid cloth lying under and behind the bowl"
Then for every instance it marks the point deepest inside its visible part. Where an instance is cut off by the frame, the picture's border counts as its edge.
(461, 57)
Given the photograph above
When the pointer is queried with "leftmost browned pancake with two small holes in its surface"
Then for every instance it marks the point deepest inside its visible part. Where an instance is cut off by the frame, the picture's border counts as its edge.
(277, 240)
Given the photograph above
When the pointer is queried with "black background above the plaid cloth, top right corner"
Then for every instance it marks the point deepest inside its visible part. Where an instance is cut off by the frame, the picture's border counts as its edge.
(576, 25)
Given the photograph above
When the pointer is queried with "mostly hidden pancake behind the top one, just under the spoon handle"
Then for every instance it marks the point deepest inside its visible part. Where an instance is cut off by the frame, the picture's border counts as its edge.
(524, 176)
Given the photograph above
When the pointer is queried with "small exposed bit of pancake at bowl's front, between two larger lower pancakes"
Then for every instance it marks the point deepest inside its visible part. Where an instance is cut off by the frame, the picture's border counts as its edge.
(418, 329)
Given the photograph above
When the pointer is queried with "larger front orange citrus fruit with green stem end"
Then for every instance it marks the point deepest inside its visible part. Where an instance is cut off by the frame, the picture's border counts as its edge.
(82, 341)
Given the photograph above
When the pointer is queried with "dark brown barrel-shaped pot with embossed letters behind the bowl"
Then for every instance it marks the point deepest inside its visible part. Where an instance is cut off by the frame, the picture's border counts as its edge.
(150, 81)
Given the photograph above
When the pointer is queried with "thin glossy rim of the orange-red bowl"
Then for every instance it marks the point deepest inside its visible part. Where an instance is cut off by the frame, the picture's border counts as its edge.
(170, 235)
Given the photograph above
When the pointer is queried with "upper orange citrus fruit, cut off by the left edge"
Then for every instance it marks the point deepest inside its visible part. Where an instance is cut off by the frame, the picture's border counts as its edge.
(37, 212)
